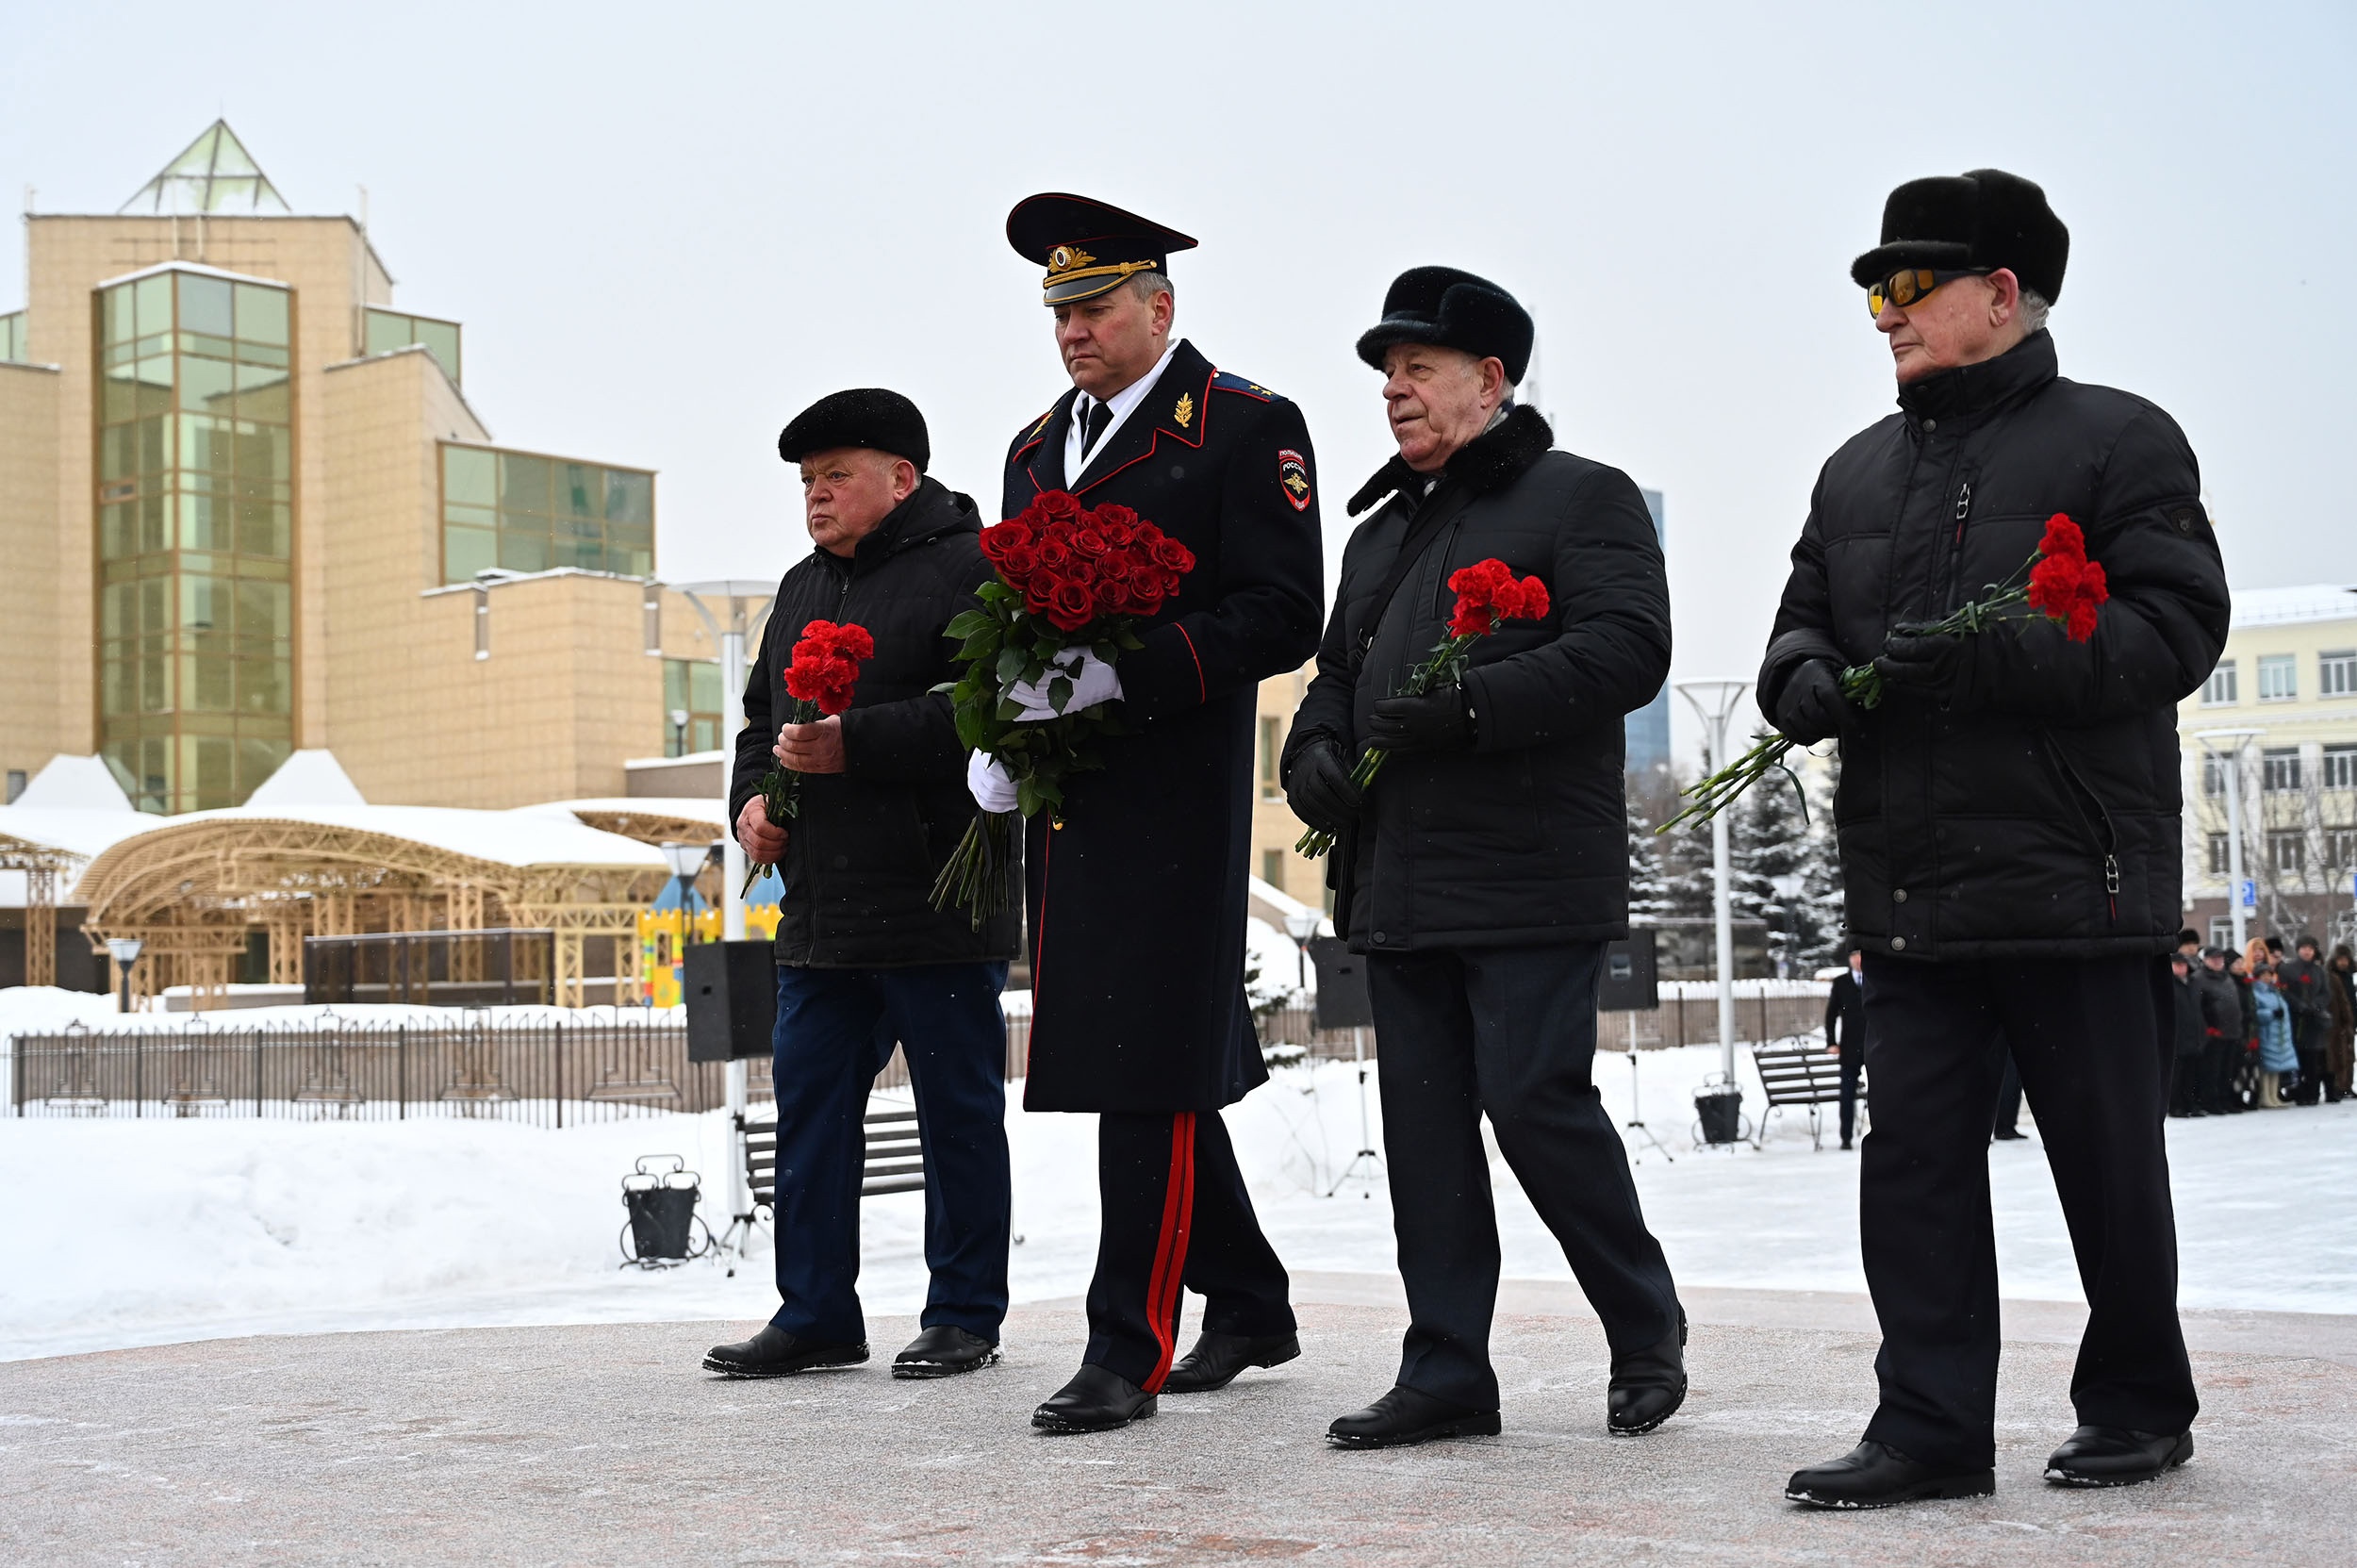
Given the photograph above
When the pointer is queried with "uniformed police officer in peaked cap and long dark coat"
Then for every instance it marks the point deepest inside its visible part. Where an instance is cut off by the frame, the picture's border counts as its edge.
(1137, 902)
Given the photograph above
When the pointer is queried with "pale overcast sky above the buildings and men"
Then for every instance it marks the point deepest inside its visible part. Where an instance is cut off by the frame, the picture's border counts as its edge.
(673, 228)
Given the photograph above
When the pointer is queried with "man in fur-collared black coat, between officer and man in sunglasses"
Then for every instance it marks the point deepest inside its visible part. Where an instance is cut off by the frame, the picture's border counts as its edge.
(1486, 869)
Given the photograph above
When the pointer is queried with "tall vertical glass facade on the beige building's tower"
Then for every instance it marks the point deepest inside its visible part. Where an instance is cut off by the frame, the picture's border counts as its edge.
(197, 529)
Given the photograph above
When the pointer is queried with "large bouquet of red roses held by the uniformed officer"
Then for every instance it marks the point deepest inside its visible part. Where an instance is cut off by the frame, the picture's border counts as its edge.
(1071, 581)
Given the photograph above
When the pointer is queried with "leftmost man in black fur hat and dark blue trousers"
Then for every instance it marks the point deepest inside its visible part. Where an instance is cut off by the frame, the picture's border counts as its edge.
(864, 956)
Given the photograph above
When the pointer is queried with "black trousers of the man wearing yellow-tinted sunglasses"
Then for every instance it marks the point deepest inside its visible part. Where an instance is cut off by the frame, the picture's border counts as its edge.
(2092, 1041)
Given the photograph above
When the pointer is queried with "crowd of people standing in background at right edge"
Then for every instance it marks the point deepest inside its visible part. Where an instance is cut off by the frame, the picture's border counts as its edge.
(2262, 1032)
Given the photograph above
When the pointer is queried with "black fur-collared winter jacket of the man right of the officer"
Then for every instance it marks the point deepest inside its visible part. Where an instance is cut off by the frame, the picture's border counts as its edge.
(1521, 838)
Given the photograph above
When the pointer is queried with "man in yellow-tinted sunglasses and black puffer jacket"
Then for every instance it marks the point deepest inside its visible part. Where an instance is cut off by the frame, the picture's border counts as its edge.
(2009, 836)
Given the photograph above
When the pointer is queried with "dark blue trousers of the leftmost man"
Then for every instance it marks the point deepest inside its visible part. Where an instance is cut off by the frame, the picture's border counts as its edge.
(836, 1032)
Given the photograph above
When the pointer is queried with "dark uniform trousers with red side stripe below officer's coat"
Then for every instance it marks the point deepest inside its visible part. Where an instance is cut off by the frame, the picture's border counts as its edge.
(1175, 1213)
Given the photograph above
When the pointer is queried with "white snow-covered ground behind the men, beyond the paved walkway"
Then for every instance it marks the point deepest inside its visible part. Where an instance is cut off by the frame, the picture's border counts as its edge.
(145, 1232)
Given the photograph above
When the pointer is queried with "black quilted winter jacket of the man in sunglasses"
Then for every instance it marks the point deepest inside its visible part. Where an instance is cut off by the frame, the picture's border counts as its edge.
(2038, 808)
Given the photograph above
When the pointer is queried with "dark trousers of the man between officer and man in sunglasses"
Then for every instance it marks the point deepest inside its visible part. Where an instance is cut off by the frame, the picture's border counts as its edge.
(1512, 1034)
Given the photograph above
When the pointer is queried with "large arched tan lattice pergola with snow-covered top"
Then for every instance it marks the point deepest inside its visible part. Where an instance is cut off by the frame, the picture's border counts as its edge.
(197, 892)
